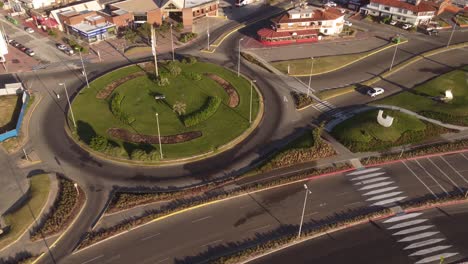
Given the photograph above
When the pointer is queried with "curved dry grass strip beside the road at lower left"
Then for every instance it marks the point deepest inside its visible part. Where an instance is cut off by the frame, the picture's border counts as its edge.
(20, 219)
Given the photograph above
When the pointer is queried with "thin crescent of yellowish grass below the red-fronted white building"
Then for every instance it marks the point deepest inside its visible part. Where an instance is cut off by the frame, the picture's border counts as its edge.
(321, 64)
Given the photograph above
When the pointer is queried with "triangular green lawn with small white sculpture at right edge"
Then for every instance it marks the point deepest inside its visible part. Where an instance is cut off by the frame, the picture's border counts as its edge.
(420, 98)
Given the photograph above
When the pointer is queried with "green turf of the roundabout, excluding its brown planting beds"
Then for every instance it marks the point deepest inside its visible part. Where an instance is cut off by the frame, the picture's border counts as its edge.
(94, 117)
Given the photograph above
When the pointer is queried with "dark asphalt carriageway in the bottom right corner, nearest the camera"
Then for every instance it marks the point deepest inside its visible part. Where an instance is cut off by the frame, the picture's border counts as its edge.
(379, 245)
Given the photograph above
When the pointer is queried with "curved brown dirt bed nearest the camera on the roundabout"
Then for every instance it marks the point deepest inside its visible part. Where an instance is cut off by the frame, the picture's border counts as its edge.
(127, 136)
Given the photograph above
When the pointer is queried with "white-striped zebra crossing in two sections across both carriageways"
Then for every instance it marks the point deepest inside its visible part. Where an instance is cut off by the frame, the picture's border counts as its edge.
(421, 240)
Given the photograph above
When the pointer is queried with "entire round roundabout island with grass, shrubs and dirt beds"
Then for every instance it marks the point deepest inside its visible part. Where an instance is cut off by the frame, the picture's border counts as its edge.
(202, 109)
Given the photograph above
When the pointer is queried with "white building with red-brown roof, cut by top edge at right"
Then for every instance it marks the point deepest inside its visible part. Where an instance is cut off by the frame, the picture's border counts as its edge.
(412, 12)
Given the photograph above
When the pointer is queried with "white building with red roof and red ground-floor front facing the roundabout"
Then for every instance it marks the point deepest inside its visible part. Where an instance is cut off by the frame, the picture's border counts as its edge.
(302, 24)
